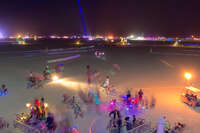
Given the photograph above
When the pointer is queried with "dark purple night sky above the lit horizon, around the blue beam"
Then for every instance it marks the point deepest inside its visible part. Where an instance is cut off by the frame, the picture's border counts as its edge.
(117, 17)
